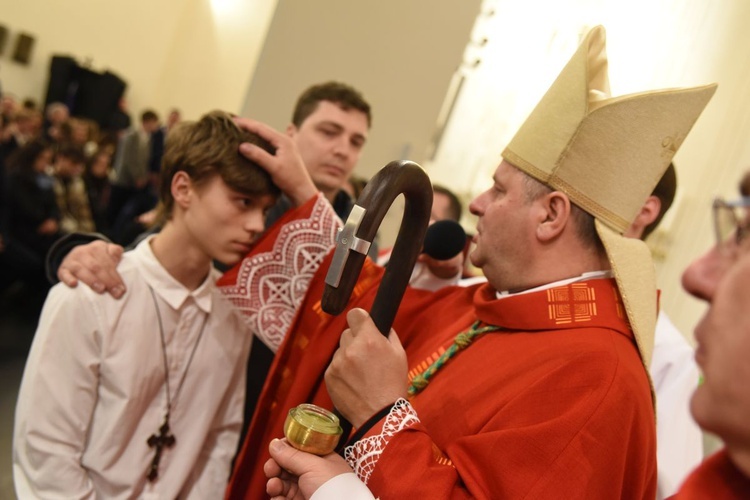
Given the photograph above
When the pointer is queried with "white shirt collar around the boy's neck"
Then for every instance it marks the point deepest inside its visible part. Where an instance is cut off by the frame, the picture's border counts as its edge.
(165, 285)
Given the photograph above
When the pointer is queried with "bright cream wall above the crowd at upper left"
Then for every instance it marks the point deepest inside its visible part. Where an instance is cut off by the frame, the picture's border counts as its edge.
(196, 55)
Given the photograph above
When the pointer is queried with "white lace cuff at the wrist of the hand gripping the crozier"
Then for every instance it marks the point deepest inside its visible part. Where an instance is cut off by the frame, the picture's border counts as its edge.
(365, 453)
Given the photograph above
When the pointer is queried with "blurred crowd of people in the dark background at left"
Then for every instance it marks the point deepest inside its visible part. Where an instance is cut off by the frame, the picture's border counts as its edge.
(61, 174)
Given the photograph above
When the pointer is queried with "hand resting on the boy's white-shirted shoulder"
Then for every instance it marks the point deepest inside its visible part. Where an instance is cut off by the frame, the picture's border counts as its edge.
(95, 264)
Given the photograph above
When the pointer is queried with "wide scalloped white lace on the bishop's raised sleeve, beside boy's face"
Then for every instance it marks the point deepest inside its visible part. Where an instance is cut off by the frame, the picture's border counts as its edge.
(271, 285)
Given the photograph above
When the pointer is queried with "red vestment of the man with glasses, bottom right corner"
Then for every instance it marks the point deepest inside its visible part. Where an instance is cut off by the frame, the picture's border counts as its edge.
(717, 477)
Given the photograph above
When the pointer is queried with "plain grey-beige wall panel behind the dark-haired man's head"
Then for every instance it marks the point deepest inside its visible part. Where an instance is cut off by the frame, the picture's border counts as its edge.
(399, 54)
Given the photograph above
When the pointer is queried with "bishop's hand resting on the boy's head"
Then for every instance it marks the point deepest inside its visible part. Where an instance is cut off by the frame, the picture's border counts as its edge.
(286, 167)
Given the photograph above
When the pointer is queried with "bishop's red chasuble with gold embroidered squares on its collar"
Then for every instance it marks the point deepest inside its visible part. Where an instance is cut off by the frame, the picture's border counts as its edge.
(556, 404)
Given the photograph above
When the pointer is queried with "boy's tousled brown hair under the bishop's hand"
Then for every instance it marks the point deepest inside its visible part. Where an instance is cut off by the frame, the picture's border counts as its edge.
(210, 147)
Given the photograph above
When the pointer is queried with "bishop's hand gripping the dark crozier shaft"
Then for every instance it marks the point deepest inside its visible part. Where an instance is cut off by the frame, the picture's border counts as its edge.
(368, 371)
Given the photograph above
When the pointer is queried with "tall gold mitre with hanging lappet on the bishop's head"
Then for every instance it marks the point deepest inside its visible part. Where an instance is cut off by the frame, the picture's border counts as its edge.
(607, 154)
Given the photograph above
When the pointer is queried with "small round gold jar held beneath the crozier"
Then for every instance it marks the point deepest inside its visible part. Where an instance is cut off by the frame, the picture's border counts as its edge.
(312, 429)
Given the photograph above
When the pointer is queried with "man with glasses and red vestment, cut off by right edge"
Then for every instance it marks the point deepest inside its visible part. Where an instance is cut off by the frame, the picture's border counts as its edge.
(721, 404)
